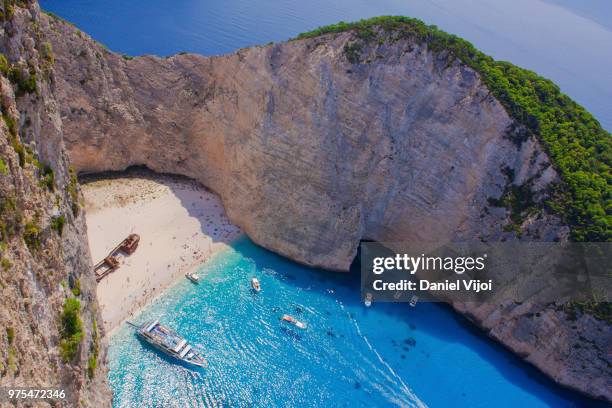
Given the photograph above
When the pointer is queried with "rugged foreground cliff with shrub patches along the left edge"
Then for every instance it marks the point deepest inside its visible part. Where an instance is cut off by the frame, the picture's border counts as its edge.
(43, 247)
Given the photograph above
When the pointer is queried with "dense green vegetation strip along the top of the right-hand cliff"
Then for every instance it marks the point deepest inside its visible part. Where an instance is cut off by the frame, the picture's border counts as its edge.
(580, 149)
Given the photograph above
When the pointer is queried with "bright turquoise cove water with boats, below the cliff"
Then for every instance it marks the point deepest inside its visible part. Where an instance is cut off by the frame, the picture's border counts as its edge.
(350, 355)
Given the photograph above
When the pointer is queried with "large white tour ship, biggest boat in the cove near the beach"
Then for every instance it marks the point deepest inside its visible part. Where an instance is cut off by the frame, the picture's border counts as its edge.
(169, 343)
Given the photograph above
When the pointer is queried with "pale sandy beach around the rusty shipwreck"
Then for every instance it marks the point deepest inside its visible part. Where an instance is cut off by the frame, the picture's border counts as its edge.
(180, 224)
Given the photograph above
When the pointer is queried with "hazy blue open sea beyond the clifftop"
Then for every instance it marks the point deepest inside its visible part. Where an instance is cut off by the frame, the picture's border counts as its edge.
(567, 41)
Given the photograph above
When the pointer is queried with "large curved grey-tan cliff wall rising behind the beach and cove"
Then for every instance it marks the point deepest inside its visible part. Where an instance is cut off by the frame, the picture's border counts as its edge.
(313, 146)
